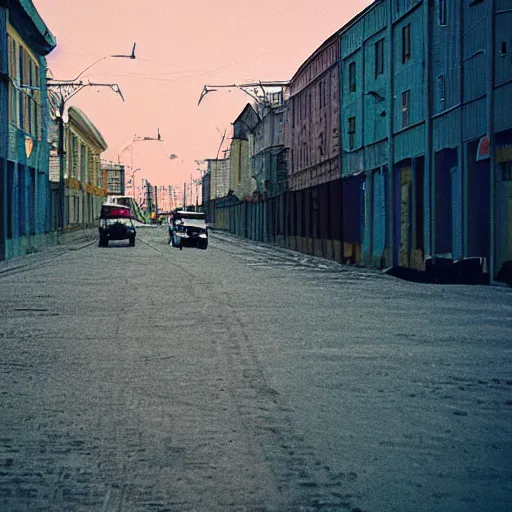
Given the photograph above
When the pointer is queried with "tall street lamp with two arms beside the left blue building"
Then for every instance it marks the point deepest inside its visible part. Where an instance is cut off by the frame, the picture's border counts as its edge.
(66, 90)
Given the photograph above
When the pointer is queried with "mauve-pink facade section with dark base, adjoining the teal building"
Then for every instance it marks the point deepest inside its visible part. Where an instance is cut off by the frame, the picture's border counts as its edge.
(314, 206)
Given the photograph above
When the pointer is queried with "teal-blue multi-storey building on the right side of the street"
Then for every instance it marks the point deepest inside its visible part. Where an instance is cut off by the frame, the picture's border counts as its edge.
(426, 131)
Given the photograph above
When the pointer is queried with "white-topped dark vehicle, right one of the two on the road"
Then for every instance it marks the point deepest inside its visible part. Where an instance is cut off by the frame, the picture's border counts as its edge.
(188, 229)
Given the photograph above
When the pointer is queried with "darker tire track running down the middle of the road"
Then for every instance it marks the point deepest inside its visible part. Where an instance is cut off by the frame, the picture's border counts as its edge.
(302, 480)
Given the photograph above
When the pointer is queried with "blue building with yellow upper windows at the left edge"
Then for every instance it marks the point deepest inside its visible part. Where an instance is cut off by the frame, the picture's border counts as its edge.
(24, 151)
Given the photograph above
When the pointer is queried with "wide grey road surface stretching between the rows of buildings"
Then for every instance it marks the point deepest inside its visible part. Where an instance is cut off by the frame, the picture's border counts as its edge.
(247, 378)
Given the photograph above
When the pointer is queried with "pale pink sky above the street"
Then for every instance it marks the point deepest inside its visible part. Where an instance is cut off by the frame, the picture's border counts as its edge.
(179, 49)
